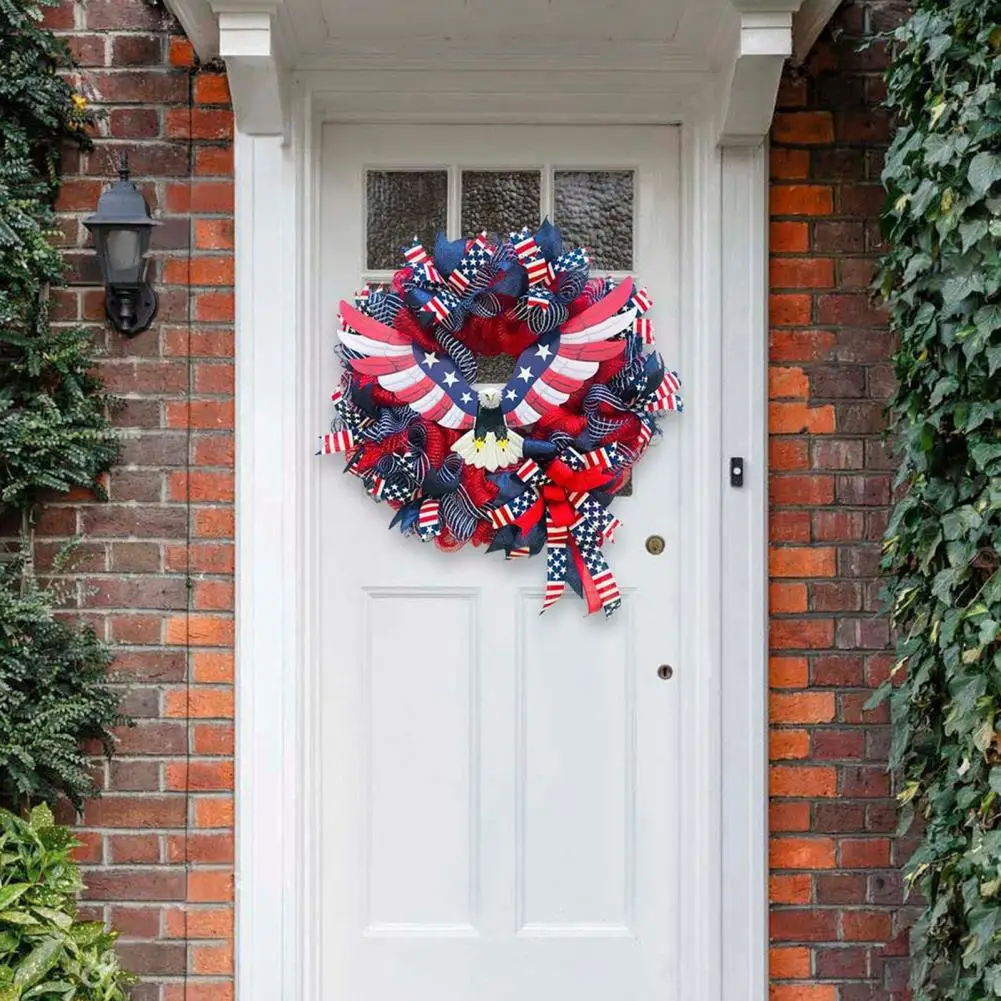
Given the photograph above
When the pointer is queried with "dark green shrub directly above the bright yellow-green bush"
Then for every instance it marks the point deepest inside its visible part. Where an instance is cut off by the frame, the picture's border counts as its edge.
(54, 696)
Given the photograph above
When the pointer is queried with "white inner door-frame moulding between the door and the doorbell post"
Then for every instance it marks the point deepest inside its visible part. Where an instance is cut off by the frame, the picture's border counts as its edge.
(700, 556)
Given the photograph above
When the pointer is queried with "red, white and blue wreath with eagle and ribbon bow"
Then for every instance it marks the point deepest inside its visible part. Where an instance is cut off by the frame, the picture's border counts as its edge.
(442, 450)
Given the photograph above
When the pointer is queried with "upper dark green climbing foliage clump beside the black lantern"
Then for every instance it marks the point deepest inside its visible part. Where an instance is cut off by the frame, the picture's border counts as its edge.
(55, 430)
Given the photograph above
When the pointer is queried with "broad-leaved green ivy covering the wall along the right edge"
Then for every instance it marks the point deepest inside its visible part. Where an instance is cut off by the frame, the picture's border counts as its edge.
(942, 277)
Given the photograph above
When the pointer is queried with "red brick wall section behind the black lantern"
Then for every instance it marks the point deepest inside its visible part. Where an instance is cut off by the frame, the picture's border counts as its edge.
(159, 845)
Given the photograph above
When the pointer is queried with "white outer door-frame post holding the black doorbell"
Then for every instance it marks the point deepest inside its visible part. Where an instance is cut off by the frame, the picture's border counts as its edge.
(744, 523)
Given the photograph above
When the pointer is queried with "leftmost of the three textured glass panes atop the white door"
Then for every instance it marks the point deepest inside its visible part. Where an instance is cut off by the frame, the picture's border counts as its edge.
(400, 206)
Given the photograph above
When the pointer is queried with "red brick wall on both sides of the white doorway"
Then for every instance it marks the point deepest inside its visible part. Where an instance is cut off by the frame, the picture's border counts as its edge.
(159, 846)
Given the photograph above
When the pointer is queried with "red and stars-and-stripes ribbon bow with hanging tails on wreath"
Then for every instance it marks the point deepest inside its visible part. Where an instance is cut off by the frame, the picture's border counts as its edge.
(577, 524)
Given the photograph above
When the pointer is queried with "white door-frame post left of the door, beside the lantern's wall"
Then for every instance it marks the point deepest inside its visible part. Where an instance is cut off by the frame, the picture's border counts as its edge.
(272, 580)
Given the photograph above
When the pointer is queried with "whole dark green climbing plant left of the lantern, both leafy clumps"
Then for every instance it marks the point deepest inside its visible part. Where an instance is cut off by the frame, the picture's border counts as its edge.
(55, 432)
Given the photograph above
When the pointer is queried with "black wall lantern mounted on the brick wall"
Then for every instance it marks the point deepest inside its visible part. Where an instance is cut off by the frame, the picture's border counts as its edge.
(123, 229)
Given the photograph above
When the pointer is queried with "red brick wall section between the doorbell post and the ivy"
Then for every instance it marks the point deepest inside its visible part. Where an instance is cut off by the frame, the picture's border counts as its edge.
(837, 929)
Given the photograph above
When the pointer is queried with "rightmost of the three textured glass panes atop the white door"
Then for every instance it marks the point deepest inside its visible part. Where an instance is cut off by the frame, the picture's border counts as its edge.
(594, 209)
